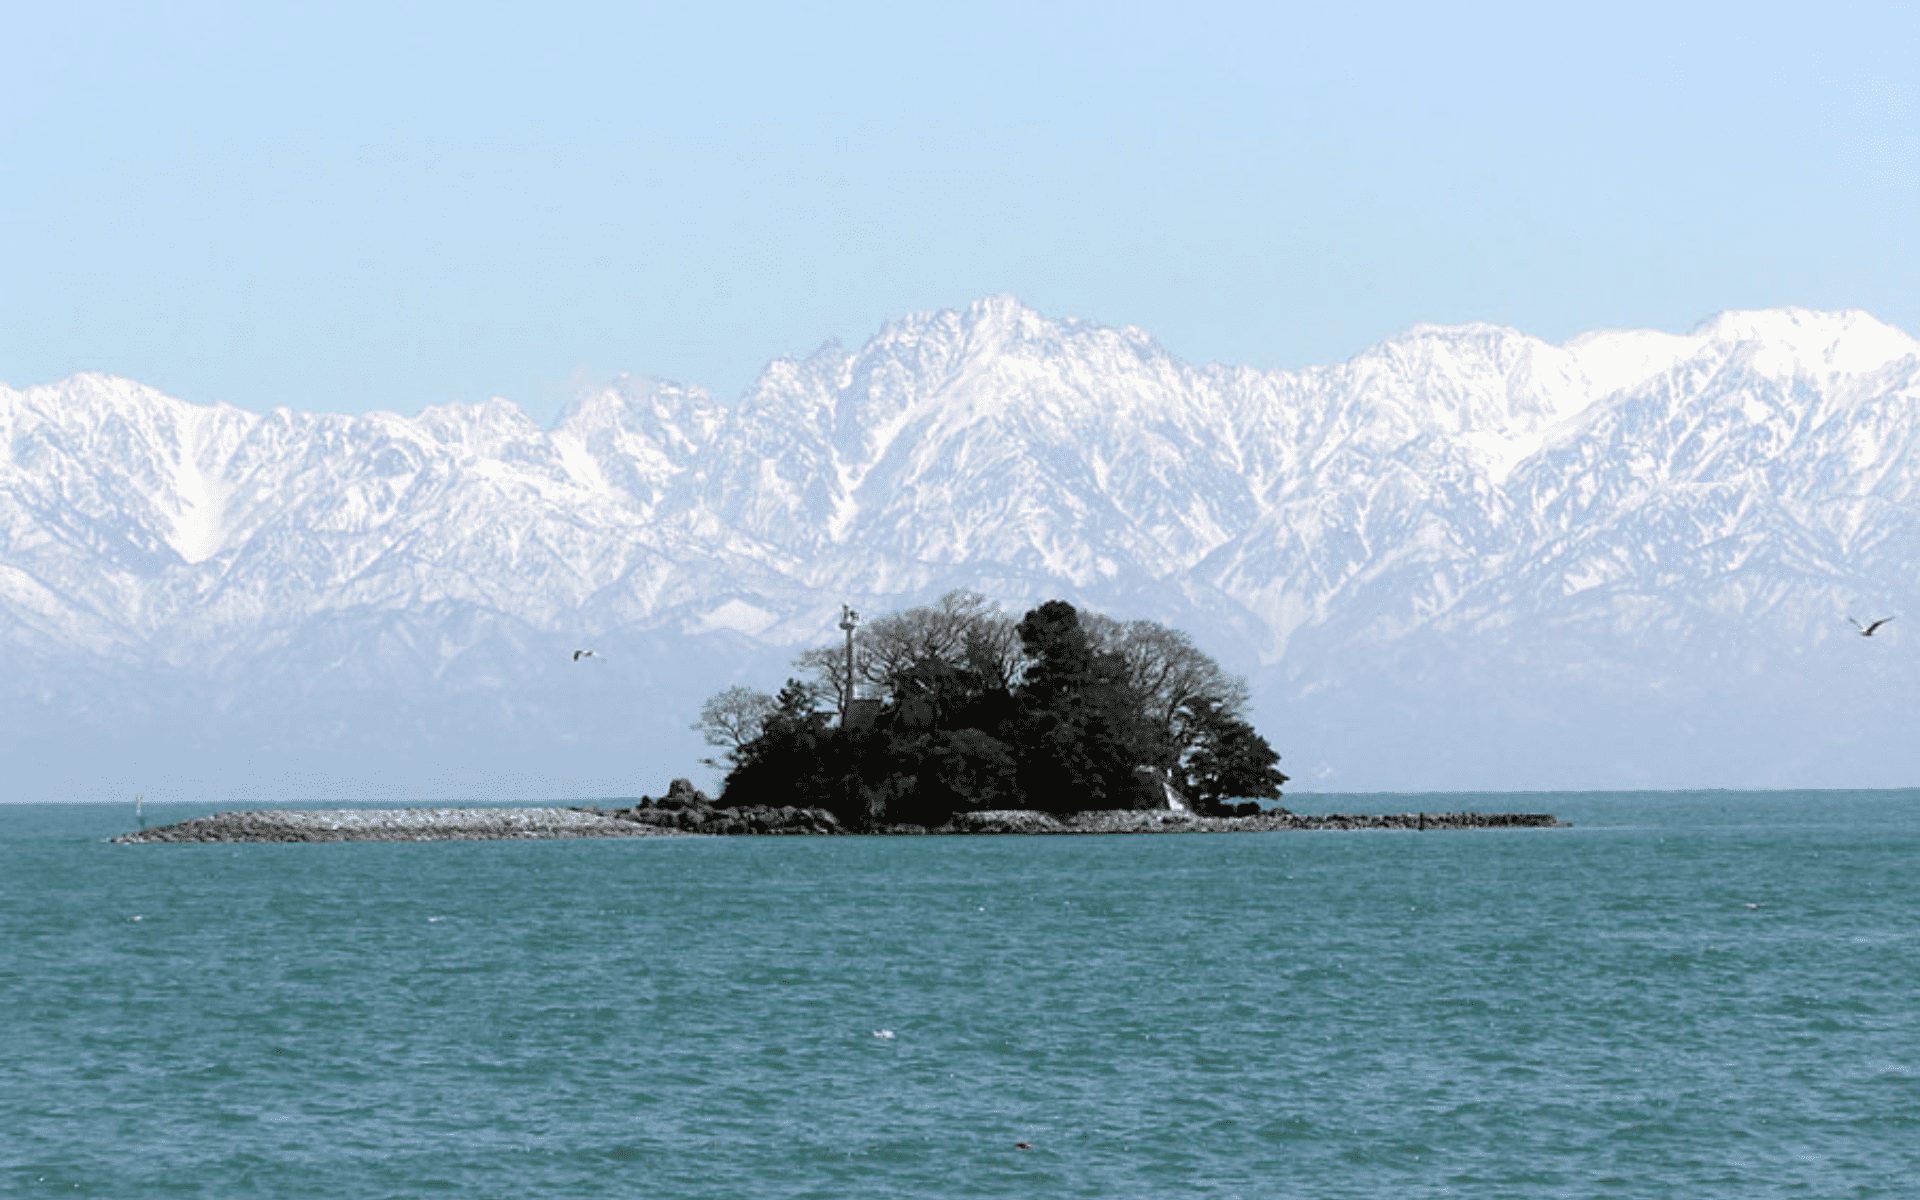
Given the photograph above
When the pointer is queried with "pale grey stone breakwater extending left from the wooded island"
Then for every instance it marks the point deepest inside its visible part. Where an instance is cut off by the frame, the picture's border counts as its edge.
(395, 825)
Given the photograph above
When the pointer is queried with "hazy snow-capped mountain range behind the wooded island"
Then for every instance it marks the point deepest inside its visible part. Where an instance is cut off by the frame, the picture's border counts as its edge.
(1466, 558)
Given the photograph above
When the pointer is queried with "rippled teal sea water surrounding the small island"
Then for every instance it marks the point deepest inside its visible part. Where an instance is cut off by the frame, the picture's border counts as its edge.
(1683, 996)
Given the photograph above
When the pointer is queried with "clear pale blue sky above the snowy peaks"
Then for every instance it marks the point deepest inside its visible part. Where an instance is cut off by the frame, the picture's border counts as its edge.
(404, 204)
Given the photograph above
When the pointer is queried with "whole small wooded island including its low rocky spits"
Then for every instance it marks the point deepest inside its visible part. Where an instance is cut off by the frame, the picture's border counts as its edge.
(971, 723)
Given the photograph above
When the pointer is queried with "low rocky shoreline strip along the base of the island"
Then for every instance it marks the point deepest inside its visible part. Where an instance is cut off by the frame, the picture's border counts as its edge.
(709, 821)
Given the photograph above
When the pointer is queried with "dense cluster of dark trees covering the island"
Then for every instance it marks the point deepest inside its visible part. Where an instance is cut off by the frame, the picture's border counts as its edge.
(967, 709)
